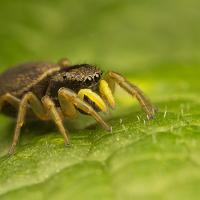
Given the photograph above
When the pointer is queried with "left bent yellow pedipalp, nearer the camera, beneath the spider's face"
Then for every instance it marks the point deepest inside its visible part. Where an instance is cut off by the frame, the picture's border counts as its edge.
(94, 98)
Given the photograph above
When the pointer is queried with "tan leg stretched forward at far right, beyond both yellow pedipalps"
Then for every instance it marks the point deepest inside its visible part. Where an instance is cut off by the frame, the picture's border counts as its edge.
(134, 91)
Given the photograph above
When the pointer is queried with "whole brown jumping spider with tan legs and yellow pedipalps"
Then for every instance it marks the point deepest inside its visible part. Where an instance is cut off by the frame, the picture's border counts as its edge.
(51, 91)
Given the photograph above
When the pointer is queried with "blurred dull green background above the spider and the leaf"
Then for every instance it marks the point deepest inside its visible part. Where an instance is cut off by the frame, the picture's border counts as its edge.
(125, 34)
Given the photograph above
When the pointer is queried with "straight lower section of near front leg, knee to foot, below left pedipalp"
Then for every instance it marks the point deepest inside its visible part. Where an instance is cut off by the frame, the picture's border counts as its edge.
(72, 97)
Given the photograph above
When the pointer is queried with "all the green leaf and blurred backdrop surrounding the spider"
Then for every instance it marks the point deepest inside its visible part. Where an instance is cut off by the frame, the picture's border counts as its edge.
(155, 44)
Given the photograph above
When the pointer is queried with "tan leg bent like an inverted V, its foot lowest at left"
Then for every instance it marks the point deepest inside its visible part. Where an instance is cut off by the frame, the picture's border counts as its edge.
(36, 106)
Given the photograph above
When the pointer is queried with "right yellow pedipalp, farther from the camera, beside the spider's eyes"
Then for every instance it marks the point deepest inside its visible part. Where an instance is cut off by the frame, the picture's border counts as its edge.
(106, 92)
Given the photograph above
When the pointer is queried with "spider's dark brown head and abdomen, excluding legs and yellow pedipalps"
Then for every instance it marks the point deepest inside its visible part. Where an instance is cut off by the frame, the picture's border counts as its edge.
(43, 78)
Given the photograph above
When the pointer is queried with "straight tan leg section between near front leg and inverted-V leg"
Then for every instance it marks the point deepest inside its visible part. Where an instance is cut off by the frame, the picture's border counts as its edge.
(55, 116)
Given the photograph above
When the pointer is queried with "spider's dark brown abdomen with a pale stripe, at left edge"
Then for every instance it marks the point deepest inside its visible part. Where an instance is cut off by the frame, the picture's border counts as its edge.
(24, 78)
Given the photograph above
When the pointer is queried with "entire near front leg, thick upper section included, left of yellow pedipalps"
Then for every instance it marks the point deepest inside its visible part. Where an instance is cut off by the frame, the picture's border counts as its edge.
(71, 98)
